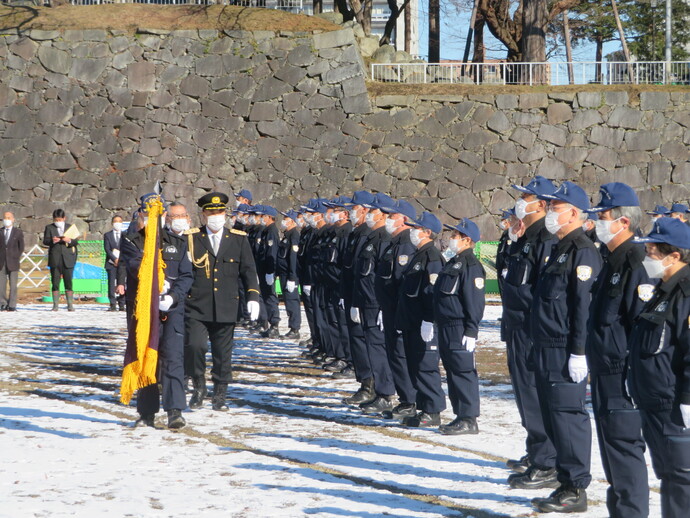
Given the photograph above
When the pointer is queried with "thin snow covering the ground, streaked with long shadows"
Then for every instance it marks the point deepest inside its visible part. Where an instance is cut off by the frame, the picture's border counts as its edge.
(287, 446)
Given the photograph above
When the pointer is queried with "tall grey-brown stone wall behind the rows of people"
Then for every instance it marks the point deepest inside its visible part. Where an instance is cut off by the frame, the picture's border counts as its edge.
(89, 120)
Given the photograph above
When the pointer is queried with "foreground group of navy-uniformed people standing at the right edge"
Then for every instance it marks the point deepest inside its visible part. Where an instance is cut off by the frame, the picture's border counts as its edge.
(615, 310)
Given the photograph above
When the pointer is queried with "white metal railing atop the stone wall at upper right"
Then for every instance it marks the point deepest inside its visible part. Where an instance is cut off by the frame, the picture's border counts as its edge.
(504, 73)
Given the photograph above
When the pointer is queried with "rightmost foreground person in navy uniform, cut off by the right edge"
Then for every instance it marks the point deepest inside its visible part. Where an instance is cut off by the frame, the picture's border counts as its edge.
(659, 376)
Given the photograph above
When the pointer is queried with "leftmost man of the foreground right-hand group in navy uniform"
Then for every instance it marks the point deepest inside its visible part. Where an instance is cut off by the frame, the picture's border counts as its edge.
(528, 257)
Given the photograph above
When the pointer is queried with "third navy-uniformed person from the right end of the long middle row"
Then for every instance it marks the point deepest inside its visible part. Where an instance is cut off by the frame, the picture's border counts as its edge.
(389, 274)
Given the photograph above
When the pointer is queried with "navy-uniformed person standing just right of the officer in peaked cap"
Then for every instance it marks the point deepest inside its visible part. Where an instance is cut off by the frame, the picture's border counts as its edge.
(266, 268)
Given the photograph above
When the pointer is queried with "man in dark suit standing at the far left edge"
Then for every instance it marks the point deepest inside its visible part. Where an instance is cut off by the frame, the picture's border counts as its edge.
(11, 250)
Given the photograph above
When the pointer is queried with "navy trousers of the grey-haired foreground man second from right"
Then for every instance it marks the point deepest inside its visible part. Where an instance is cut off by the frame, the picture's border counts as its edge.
(619, 430)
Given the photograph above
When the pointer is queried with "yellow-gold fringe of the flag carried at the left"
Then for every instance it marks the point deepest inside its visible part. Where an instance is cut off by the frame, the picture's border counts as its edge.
(142, 372)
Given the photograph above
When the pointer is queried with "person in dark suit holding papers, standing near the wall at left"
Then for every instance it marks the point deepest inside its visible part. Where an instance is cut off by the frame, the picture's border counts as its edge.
(62, 256)
